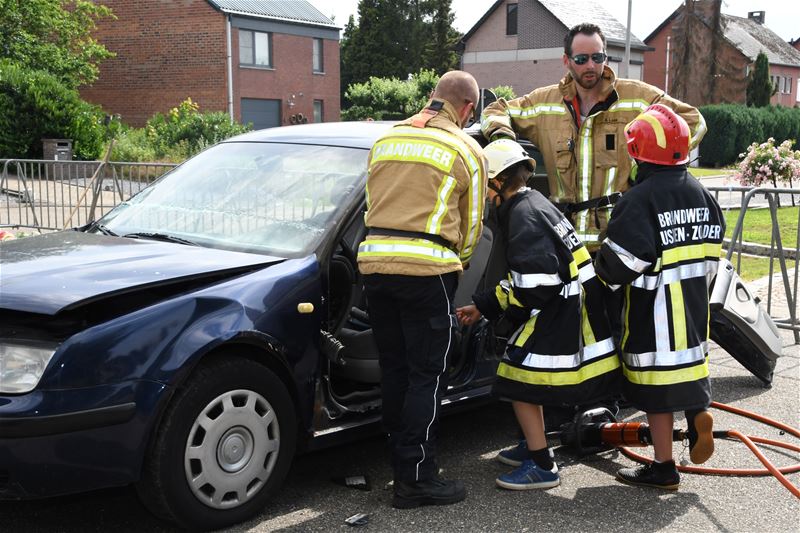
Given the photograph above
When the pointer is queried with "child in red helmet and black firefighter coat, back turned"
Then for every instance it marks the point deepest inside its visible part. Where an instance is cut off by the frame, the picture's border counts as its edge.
(662, 250)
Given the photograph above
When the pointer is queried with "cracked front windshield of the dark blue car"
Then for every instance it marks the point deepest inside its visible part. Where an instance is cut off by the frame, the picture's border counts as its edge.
(269, 198)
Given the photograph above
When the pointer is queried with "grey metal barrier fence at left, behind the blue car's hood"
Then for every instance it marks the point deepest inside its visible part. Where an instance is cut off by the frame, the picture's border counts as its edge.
(53, 195)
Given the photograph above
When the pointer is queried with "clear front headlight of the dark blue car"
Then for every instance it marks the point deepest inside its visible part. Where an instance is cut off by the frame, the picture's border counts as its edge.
(22, 364)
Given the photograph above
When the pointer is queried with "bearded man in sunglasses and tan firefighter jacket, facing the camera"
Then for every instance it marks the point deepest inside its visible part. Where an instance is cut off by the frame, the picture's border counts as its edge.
(578, 125)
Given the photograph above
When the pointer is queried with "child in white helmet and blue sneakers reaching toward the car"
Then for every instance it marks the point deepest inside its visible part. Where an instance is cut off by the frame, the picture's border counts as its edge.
(562, 352)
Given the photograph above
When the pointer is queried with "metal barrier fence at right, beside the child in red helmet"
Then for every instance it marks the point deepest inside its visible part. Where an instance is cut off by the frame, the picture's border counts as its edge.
(778, 251)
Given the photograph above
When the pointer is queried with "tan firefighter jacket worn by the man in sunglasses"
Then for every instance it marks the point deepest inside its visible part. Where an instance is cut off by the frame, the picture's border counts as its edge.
(585, 159)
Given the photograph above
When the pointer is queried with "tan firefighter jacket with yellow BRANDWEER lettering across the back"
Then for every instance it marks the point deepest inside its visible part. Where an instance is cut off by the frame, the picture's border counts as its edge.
(425, 196)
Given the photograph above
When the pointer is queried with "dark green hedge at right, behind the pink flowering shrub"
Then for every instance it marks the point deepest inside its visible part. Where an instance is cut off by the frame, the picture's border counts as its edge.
(732, 128)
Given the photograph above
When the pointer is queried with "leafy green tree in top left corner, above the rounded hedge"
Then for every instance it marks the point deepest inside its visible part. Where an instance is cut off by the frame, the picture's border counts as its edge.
(53, 36)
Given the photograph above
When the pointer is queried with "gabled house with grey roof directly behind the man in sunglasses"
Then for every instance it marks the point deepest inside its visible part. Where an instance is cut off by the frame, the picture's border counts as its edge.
(521, 42)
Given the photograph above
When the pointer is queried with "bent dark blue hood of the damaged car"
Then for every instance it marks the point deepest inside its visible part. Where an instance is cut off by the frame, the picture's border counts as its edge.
(60, 271)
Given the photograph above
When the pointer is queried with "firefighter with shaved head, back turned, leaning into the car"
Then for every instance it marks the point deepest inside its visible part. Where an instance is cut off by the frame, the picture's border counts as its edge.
(425, 196)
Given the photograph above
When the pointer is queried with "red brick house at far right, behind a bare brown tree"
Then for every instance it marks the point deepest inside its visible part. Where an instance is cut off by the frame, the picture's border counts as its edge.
(743, 39)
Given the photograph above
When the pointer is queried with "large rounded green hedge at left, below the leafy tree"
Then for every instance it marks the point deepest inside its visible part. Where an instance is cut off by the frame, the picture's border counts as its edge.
(35, 105)
